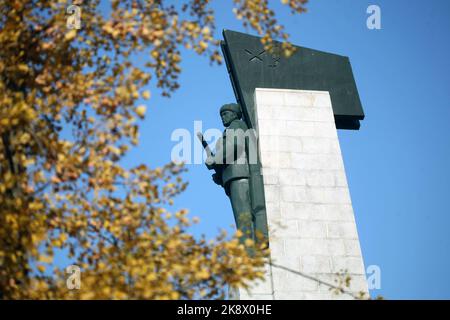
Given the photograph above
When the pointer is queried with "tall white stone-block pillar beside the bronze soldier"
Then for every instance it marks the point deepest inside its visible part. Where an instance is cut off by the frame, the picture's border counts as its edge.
(312, 228)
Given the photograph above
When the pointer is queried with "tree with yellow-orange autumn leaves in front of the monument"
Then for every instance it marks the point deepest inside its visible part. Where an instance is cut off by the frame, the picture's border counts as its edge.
(68, 116)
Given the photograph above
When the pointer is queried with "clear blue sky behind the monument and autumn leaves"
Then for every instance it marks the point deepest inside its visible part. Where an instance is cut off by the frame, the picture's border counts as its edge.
(397, 164)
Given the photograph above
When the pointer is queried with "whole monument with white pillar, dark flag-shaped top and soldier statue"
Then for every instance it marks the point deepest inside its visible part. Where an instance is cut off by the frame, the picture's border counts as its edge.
(296, 190)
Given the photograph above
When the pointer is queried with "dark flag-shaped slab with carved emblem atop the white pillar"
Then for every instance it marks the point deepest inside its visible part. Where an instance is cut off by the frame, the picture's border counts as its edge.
(250, 67)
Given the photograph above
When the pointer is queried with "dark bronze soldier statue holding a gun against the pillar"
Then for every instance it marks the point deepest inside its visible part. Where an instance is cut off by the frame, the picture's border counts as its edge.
(231, 165)
